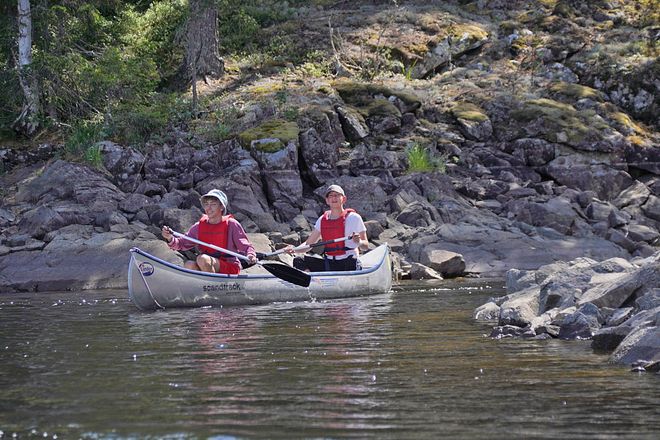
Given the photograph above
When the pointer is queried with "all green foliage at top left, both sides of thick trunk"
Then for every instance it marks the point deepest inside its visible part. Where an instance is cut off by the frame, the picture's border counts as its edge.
(108, 59)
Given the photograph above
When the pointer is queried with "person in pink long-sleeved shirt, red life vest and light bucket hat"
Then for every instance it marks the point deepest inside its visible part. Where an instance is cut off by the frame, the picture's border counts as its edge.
(218, 229)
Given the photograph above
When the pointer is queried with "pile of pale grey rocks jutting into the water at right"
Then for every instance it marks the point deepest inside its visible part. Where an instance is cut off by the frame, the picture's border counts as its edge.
(614, 302)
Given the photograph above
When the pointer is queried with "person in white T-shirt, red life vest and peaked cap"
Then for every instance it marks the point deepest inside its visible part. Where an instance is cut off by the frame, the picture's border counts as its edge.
(335, 223)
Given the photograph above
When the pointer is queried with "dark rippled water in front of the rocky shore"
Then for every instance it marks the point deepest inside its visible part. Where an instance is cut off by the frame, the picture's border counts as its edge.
(412, 364)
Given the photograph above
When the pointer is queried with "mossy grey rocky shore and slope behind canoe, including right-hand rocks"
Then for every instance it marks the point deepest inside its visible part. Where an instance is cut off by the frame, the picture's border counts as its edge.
(531, 169)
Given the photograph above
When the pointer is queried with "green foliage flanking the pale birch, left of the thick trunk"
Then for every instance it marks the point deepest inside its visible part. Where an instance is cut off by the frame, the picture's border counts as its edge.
(83, 66)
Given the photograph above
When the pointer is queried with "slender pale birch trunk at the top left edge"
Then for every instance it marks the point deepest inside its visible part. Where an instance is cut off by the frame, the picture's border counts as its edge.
(27, 122)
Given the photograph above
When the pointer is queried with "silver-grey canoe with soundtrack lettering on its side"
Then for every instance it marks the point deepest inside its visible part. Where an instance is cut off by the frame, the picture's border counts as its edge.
(157, 284)
